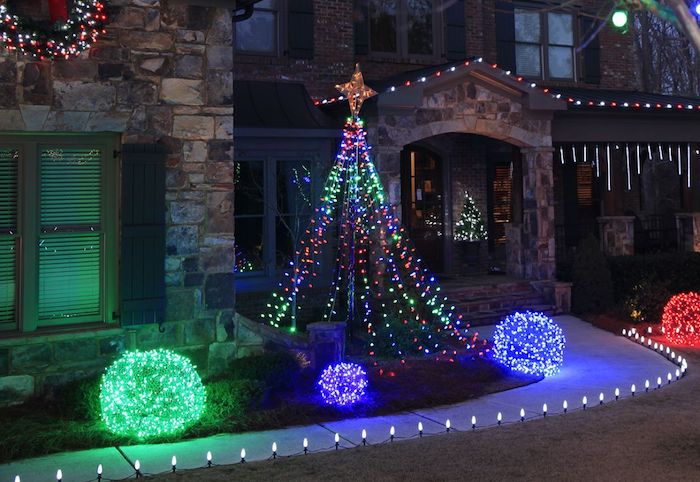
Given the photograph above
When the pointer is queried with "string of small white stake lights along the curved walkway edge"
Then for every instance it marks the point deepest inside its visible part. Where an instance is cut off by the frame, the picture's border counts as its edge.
(469, 425)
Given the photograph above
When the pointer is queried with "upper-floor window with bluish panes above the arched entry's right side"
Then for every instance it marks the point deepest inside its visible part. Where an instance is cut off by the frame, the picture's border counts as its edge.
(544, 44)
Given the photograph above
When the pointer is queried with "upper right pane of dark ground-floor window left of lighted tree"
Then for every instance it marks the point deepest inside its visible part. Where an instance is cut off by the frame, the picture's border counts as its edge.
(294, 187)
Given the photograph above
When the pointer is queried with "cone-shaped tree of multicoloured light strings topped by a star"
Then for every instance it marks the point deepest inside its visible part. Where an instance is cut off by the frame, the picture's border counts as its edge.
(379, 285)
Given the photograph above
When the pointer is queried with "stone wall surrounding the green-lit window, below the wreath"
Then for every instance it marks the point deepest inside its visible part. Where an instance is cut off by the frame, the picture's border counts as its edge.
(161, 74)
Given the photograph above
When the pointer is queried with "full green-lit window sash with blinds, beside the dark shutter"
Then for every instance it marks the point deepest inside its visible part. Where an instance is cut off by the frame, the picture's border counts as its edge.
(71, 241)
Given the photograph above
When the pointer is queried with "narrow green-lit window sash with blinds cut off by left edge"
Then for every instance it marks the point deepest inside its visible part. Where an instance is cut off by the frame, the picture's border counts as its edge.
(8, 230)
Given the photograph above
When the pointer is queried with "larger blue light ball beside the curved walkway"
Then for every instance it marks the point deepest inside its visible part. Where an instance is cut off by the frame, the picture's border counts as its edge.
(529, 342)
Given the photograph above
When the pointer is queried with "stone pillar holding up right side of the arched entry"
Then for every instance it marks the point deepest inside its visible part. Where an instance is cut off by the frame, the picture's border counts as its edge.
(538, 247)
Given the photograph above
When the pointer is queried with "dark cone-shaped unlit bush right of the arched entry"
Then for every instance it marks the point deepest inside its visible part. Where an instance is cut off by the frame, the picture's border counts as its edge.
(592, 290)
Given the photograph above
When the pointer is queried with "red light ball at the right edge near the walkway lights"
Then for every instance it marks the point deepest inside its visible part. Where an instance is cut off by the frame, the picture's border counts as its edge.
(681, 319)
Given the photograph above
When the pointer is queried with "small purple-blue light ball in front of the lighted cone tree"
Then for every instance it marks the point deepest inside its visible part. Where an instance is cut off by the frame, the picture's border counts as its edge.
(342, 384)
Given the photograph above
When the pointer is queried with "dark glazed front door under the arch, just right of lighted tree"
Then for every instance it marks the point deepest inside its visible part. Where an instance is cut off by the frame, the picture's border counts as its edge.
(422, 198)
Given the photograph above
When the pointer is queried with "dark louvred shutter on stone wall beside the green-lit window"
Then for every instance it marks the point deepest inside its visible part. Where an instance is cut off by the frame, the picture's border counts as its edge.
(143, 234)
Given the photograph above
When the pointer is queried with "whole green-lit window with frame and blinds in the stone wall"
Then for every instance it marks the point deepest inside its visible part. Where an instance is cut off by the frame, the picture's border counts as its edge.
(57, 231)
